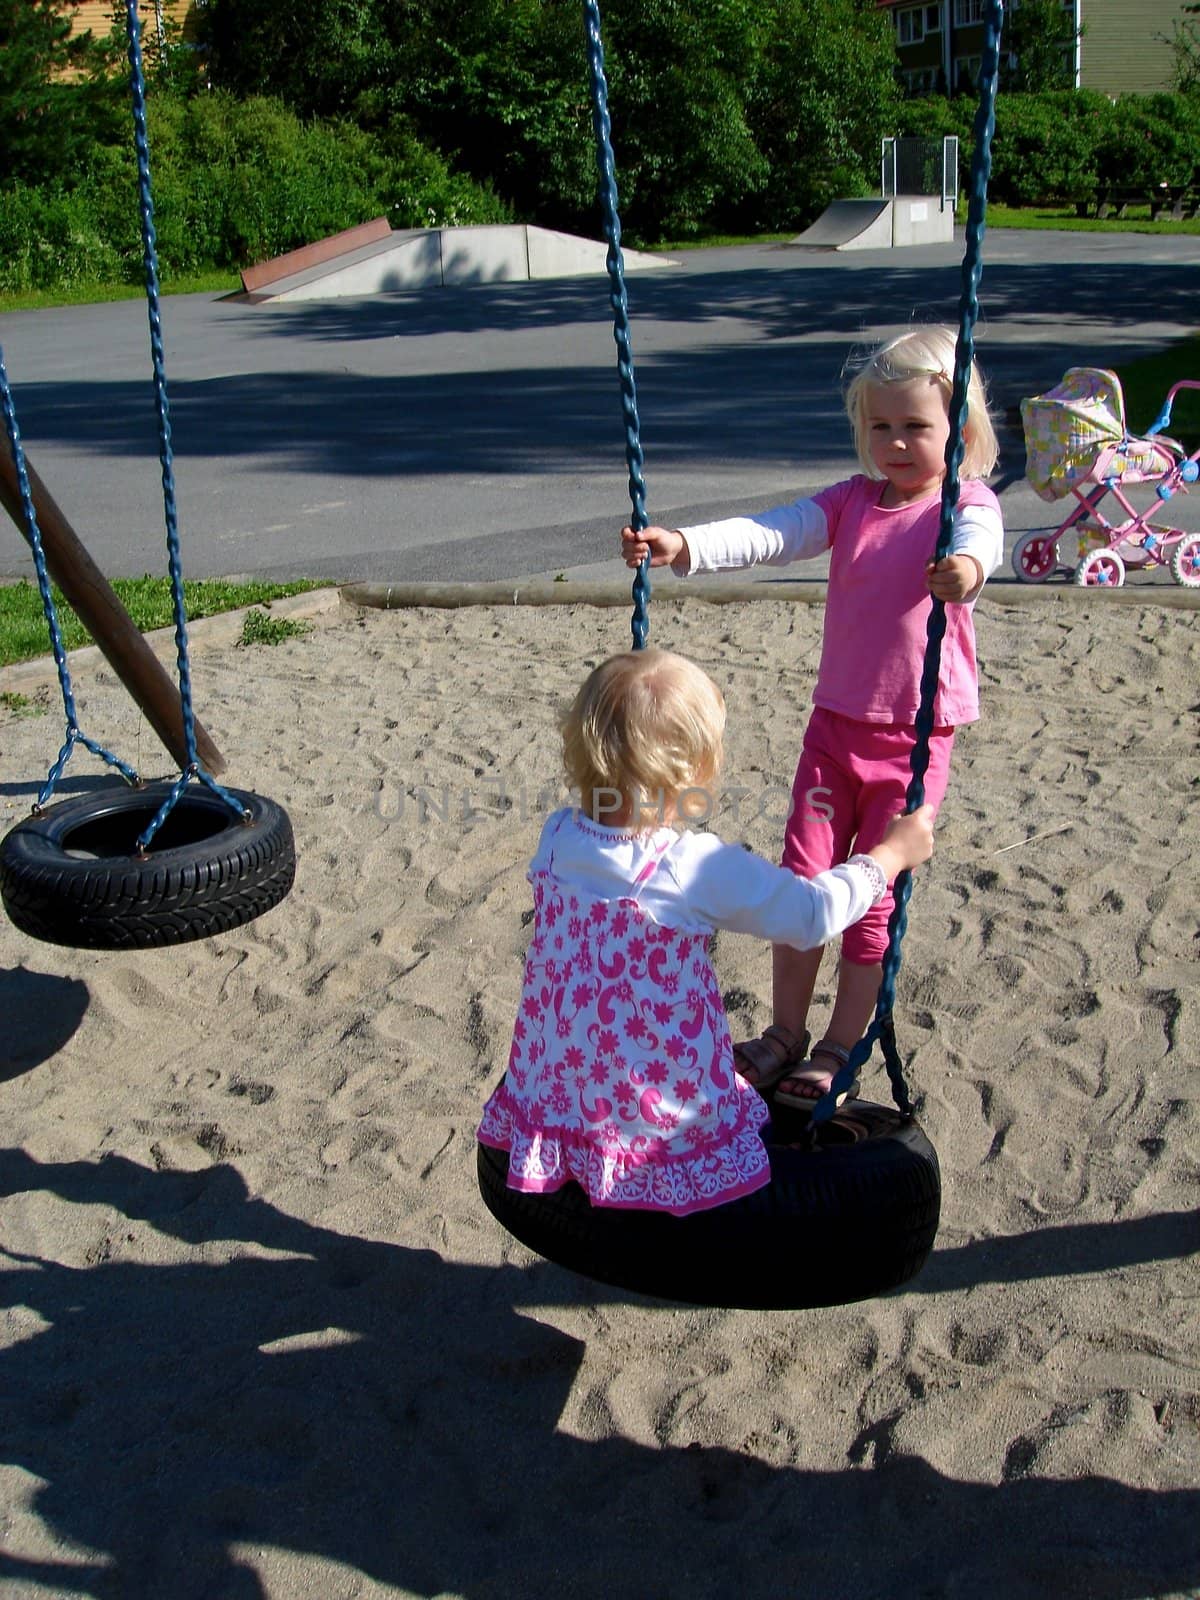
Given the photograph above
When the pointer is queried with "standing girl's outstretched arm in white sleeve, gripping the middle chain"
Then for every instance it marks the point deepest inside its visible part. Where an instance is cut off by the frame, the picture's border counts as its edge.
(790, 534)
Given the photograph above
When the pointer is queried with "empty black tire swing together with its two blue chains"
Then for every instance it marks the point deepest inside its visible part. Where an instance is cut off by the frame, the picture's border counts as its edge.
(138, 865)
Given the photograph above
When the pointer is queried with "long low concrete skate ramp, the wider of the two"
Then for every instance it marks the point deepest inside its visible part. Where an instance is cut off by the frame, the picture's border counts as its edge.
(418, 258)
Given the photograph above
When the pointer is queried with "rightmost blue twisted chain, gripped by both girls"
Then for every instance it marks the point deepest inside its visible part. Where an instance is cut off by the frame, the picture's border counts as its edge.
(969, 313)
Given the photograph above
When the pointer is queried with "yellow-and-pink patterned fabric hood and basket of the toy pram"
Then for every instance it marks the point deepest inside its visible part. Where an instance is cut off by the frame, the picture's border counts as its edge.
(1076, 433)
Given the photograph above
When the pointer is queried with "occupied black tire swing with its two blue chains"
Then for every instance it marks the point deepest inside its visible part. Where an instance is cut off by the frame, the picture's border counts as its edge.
(855, 1196)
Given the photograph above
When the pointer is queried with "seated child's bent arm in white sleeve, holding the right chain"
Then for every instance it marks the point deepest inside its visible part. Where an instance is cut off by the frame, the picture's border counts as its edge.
(732, 889)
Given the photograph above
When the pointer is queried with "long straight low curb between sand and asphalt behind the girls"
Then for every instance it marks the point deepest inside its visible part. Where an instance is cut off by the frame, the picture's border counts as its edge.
(718, 591)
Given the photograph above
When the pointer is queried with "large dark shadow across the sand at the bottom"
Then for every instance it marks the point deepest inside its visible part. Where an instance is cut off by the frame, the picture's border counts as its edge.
(172, 1415)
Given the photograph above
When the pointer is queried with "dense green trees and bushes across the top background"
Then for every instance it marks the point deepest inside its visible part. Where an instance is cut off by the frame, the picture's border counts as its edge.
(300, 118)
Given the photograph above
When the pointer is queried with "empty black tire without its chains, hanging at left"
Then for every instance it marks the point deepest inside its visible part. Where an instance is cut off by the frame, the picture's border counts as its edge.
(76, 876)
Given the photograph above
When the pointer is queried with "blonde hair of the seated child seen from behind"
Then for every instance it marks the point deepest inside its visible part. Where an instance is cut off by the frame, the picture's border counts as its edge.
(644, 729)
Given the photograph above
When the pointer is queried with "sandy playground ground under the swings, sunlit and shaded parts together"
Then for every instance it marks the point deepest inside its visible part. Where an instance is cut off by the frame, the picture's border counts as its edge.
(262, 1337)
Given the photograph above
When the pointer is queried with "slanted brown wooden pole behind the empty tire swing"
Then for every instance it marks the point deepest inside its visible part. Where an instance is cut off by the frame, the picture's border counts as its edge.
(90, 594)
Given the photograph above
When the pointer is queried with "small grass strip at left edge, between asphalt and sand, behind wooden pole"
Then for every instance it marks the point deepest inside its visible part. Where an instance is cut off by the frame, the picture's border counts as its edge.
(25, 633)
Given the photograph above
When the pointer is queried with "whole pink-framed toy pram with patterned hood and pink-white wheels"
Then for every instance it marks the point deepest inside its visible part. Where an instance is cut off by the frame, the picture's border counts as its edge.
(1079, 447)
